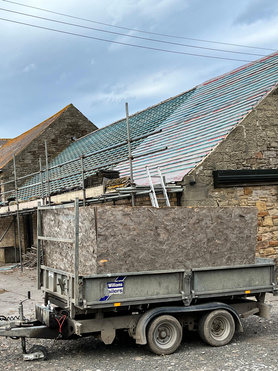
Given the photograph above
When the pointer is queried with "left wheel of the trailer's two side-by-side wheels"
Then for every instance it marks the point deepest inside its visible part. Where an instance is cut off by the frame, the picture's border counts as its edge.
(164, 335)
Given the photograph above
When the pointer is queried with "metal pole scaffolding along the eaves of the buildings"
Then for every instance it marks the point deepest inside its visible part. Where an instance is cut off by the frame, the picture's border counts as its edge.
(43, 182)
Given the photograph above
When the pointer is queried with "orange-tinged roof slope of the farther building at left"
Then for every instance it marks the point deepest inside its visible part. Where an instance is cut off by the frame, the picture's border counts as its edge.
(15, 146)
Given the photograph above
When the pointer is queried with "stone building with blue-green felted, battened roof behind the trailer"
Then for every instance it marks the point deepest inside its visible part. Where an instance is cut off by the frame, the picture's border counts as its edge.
(217, 143)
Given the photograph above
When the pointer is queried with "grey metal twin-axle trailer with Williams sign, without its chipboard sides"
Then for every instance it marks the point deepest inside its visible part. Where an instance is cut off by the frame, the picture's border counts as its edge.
(154, 307)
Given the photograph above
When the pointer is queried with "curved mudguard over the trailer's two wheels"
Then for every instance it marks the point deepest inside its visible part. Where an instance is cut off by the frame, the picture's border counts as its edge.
(144, 320)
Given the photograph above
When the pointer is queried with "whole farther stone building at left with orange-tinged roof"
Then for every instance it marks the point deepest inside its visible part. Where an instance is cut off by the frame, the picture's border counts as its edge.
(57, 132)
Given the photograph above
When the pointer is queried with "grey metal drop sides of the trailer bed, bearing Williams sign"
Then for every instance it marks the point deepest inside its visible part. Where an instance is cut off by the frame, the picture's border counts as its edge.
(125, 289)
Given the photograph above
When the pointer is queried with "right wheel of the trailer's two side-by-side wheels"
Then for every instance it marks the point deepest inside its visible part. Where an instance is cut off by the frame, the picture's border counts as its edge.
(217, 328)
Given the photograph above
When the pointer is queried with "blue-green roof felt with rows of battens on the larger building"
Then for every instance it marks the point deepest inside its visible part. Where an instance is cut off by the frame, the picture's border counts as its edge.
(192, 124)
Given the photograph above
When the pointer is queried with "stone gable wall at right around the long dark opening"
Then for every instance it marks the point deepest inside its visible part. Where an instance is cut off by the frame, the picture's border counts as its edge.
(253, 144)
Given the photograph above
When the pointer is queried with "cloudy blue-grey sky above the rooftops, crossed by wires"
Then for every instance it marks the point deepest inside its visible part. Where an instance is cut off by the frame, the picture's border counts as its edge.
(98, 55)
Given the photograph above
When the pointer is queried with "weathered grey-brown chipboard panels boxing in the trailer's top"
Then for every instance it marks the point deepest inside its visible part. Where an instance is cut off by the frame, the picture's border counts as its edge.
(124, 239)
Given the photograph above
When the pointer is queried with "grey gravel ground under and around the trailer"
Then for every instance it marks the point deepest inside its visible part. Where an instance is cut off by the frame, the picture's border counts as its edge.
(255, 349)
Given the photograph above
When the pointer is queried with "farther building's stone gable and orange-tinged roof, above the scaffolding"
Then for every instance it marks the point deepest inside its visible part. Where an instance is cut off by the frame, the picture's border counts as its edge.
(57, 132)
